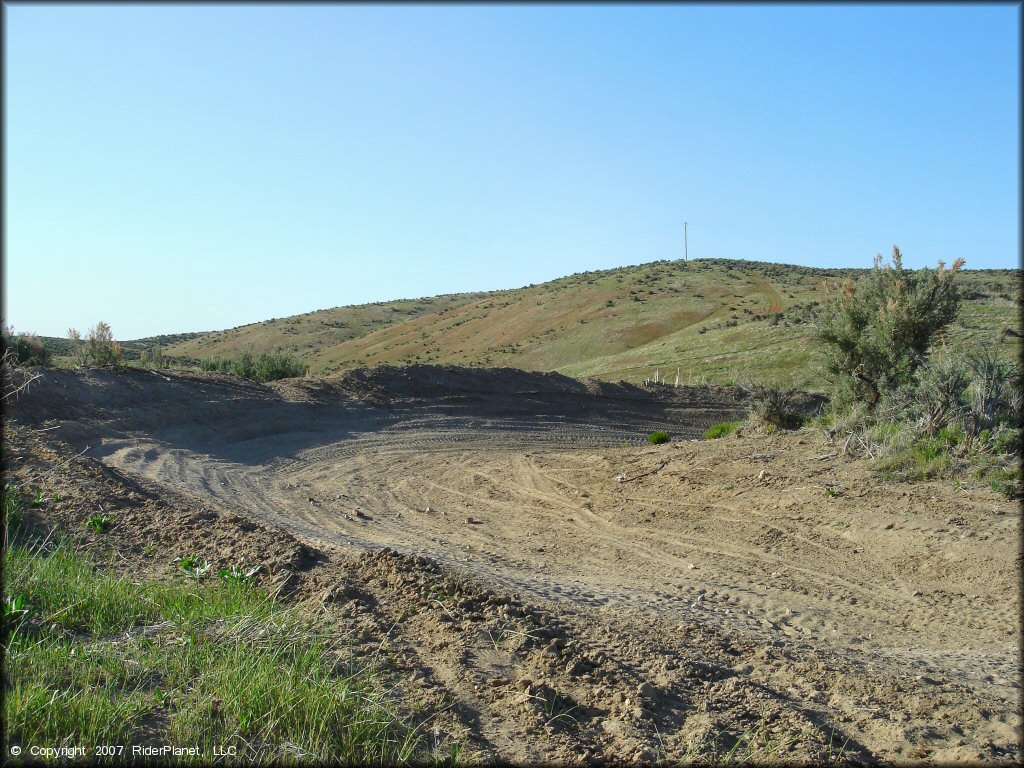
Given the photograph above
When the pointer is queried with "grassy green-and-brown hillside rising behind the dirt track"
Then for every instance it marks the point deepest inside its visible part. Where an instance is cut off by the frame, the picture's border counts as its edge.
(717, 321)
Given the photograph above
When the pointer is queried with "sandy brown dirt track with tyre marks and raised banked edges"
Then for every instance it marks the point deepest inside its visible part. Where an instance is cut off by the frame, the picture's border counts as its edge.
(552, 588)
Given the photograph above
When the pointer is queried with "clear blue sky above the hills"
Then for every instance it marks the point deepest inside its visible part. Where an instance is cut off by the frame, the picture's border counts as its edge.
(190, 168)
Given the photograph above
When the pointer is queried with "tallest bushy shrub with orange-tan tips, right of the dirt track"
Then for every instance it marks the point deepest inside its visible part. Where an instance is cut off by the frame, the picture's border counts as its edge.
(879, 332)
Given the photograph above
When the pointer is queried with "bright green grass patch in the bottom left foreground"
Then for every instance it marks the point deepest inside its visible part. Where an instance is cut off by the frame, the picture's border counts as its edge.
(97, 659)
